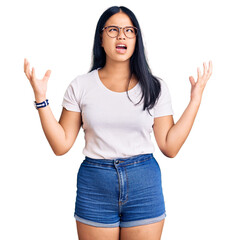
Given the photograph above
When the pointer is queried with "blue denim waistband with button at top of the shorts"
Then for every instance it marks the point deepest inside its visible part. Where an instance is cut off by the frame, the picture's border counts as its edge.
(109, 162)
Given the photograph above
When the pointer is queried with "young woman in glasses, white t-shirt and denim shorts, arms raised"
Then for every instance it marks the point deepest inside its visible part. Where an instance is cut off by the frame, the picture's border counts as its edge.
(118, 103)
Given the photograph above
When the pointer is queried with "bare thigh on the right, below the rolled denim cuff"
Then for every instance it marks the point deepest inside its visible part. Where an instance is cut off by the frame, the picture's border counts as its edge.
(151, 231)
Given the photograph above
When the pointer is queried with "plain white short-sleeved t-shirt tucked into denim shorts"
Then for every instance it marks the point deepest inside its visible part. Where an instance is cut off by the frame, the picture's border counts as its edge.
(113, 126)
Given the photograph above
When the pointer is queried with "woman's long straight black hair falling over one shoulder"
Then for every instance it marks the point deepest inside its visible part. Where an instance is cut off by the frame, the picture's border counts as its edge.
(150, 84)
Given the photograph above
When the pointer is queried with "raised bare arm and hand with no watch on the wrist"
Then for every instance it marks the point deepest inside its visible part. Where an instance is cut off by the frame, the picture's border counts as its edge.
(171, 136)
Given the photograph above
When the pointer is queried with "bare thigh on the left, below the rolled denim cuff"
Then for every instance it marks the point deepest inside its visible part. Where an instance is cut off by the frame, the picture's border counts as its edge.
(87, 232)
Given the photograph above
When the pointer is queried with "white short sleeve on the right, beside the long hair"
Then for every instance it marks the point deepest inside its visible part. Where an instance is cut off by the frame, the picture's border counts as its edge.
(163, 106)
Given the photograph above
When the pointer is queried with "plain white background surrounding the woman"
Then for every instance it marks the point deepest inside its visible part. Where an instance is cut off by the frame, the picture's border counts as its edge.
(38, 189)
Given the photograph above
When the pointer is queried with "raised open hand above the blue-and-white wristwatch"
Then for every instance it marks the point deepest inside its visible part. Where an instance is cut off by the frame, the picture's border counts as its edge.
(39, 86)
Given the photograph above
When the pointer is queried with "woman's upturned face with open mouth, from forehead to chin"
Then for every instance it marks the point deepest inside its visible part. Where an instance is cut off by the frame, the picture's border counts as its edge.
(110, 44)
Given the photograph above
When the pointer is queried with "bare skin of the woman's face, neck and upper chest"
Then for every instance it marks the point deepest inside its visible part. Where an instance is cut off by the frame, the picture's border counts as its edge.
(116, 72)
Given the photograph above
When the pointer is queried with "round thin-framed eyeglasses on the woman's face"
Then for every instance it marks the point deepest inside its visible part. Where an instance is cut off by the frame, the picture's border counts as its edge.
(114, 31)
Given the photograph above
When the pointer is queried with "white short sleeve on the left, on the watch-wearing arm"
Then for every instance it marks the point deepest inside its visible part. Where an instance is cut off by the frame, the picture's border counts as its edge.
(71, 97)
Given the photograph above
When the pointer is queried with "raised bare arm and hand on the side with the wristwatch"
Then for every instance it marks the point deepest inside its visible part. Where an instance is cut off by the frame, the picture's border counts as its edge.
(60, 135)
